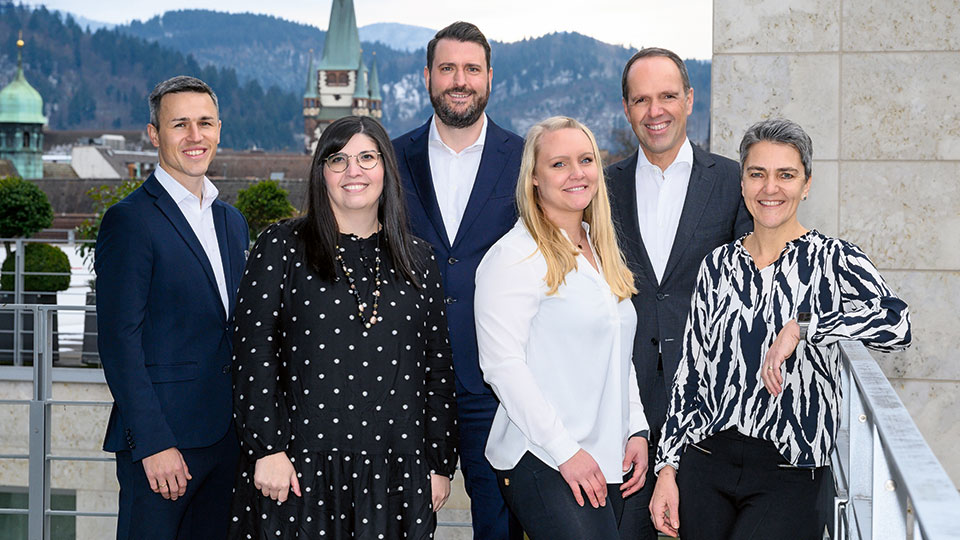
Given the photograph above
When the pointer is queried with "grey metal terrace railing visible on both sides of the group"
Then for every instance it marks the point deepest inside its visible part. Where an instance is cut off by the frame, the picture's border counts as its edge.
(888, 482)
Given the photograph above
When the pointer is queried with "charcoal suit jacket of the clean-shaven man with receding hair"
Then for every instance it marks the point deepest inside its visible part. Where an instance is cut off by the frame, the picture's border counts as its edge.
(713, 214)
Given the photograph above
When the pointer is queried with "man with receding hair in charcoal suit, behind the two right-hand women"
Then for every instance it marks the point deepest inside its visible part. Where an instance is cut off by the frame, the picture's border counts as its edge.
(673, 203)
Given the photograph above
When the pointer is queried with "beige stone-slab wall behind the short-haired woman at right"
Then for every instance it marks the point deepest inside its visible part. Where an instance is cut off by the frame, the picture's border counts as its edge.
(875, 84)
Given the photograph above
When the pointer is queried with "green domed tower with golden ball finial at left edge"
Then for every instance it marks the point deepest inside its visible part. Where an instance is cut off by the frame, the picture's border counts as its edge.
(21, 123)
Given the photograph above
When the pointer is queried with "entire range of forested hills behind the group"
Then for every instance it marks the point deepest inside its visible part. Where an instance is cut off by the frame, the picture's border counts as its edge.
(258, 66)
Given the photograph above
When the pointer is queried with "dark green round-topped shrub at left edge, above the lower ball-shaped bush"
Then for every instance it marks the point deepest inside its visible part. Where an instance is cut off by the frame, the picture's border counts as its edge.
(24, 209)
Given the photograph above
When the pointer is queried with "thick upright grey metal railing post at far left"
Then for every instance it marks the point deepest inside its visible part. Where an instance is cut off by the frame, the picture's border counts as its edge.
(38, 525)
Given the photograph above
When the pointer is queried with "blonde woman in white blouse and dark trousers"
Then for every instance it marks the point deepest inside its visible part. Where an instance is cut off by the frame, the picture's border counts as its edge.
(555, 332)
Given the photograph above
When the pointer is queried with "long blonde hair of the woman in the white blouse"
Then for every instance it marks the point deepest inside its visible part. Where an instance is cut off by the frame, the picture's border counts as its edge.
(559, 252)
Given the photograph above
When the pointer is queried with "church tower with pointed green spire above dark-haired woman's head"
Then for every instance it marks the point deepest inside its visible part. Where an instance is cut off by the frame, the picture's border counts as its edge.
(340, 85)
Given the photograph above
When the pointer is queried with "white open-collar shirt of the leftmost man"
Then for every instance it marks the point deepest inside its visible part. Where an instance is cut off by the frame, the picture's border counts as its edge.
(200, 217)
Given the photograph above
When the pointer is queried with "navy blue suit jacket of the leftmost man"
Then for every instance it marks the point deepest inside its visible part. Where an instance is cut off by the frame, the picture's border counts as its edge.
(163, 334)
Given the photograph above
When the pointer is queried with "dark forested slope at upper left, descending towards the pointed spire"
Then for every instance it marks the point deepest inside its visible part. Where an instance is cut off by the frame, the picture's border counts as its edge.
(102, 79)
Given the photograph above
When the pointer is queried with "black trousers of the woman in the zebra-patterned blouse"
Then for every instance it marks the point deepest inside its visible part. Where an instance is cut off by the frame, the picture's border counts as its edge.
(737, 487)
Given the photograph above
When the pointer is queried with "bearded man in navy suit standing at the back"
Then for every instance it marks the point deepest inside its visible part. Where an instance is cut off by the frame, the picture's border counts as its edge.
(459, 172)
